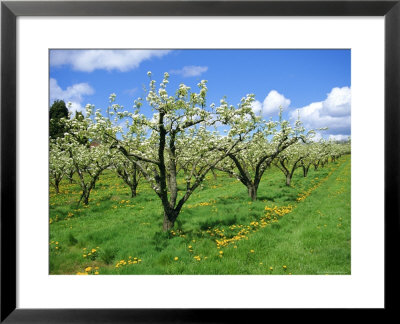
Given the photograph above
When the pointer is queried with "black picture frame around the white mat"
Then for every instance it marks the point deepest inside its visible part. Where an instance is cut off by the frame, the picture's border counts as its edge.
(10, 10)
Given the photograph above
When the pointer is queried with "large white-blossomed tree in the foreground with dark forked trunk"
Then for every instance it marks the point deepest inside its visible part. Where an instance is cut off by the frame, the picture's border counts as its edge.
(178, 139)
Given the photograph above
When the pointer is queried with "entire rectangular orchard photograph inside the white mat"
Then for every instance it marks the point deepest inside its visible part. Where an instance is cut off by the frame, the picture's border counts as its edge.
(199, 162)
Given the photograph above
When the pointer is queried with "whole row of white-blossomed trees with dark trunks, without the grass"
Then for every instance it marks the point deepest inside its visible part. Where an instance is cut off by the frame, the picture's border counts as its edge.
(181, 139)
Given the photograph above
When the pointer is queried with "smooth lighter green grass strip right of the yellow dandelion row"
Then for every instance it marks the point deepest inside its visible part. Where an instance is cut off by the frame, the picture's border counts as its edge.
(315, 237)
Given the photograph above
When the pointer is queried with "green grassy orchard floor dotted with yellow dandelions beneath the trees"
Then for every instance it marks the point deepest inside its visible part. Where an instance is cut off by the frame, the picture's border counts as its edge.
(302, 229)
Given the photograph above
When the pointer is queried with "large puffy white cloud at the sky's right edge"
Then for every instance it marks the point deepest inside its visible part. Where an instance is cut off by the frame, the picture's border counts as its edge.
(334, 112)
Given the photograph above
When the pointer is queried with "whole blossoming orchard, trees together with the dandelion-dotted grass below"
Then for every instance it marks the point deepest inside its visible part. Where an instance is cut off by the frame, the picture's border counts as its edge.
(195, 188)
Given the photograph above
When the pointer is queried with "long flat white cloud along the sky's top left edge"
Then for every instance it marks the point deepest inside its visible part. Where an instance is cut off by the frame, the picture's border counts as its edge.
(90, 60)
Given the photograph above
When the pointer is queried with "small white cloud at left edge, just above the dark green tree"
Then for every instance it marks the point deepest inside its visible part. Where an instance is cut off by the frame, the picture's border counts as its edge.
(73, 94)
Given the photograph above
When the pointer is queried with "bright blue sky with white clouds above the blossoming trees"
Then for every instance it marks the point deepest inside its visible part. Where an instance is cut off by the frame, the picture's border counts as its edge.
(314, 83)
